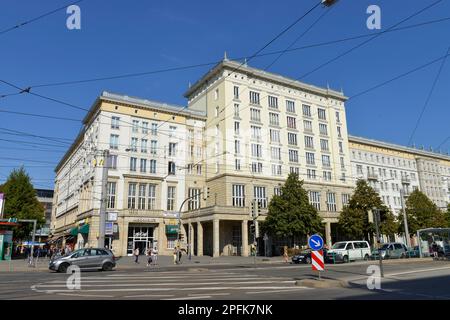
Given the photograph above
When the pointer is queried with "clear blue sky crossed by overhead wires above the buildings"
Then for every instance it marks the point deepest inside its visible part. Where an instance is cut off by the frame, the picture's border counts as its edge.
(121, 37)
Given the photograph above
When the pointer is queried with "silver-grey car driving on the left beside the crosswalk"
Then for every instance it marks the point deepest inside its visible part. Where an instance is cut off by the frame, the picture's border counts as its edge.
(91, 258)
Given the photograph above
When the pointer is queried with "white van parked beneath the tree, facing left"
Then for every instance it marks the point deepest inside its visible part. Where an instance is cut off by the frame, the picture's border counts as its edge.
(346, 251)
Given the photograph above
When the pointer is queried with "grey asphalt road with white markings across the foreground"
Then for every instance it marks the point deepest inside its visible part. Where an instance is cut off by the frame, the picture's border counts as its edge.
(403, 280)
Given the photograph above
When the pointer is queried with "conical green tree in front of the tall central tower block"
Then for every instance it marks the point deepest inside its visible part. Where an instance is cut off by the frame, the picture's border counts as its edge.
(290, 214)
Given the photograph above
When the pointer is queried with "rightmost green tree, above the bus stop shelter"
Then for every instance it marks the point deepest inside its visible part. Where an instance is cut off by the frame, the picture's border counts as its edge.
(422, 213)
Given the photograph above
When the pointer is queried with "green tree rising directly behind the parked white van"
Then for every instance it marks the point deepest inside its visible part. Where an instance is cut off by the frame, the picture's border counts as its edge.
(354, 219)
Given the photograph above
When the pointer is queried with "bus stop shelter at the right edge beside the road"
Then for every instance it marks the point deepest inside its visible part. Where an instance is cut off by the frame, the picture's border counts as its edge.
(434, 241)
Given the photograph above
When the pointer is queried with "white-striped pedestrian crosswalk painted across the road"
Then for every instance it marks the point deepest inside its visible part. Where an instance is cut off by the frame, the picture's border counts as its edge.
(185, 285)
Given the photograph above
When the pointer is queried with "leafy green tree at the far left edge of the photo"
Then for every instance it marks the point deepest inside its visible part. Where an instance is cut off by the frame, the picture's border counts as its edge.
(21, 202)
